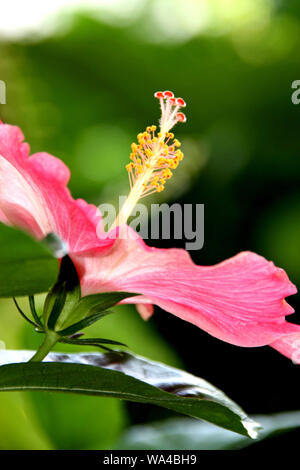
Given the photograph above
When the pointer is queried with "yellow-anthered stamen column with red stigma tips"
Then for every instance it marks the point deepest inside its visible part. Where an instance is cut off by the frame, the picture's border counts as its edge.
(154, 156)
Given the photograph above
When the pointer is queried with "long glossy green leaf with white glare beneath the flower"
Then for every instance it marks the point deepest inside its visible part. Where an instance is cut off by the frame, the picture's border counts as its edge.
(125, 376)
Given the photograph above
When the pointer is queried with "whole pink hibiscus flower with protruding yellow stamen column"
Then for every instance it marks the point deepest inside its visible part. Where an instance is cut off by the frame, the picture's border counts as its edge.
(240, 301)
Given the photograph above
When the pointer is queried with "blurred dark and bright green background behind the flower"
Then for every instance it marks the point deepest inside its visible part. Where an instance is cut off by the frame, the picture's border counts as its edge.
(80, 85)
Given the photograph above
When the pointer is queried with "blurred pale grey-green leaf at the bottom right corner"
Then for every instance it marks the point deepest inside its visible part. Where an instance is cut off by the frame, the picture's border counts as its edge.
(190, 434)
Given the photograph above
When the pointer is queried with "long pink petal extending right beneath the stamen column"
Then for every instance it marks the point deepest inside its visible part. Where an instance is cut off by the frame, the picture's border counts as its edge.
(240, 300)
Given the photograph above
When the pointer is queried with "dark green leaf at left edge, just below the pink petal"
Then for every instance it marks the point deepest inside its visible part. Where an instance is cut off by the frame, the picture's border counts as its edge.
(27, 266)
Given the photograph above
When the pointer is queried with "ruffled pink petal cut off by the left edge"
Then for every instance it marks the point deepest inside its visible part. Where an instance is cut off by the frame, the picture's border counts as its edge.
(34, 196)
